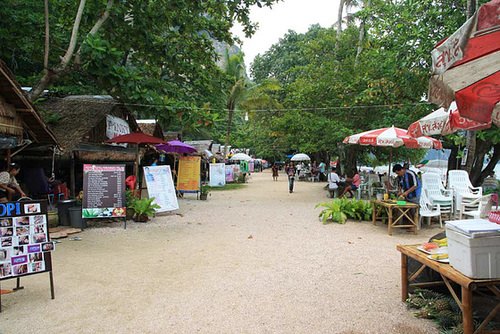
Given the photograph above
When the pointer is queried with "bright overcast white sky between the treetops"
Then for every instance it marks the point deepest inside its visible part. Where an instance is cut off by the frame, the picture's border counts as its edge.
(297, 15)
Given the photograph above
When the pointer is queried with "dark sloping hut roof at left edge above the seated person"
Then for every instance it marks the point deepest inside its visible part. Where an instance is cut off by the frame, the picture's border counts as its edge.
(19, 119)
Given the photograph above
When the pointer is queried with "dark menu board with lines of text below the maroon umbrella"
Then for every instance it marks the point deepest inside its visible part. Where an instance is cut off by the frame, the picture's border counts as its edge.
(103, 191)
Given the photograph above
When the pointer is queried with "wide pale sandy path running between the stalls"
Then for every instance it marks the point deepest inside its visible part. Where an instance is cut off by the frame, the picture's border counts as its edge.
(200, 272)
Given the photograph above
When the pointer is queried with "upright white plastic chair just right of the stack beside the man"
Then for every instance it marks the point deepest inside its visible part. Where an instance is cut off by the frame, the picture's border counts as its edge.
(463, 191)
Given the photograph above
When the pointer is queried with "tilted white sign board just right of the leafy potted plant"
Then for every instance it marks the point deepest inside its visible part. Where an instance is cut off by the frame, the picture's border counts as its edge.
(160, 185)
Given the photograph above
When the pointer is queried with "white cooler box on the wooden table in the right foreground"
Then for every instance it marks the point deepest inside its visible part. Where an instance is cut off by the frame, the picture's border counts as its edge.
(474, 247)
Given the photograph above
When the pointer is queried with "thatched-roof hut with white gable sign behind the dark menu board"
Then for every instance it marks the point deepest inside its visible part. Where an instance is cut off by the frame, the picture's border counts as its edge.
(85, 122)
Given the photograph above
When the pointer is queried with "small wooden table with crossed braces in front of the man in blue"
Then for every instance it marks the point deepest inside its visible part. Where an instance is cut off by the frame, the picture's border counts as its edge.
(390, 208)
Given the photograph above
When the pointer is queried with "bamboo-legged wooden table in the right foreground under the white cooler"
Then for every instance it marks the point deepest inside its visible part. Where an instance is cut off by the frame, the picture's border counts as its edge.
(448, 273)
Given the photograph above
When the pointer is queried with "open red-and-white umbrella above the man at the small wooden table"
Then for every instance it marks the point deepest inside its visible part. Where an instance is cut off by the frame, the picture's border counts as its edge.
(392, 137)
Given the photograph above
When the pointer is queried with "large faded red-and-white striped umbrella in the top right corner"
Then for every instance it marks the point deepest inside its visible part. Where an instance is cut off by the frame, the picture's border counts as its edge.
(466, 67)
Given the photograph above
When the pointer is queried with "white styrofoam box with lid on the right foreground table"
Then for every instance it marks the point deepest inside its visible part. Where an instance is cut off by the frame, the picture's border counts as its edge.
(476, 256)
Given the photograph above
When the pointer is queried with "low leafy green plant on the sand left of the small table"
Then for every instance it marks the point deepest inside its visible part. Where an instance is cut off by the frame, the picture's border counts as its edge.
(340, 209)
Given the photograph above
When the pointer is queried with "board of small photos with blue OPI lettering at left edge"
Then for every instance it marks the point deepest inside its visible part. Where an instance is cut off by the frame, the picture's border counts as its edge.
(25, 245)
